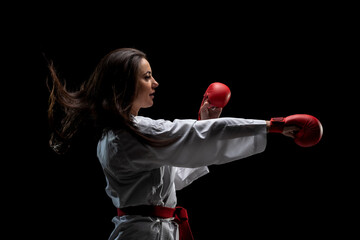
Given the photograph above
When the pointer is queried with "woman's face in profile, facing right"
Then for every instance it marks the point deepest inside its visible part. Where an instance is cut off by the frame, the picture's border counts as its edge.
(146, 87)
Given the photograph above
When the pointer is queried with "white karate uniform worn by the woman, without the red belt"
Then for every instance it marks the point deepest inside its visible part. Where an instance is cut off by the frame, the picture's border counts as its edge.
(138, 174)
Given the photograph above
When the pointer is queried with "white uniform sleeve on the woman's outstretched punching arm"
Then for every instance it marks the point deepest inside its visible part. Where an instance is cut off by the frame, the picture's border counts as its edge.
(199, 143)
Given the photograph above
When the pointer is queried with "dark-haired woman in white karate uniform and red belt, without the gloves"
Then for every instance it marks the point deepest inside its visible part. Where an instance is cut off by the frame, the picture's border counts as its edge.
(145, 161)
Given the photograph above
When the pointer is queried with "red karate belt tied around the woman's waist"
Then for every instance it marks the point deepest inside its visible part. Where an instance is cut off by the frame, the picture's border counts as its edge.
(179, 214)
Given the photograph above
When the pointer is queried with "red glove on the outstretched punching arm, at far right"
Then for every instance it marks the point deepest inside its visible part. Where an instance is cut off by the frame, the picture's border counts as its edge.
(310, 132)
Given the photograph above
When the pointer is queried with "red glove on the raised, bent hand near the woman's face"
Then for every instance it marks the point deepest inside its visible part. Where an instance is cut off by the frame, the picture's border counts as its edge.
(218, 95)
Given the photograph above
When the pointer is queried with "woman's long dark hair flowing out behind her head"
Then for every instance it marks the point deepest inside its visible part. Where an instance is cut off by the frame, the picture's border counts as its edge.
(103, 102)
